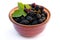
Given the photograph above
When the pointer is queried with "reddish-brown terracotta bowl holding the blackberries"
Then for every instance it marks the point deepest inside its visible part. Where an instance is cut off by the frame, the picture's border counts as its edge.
(29, 30)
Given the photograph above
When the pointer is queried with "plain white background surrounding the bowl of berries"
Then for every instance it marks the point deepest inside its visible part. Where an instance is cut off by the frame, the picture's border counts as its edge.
(51, 32)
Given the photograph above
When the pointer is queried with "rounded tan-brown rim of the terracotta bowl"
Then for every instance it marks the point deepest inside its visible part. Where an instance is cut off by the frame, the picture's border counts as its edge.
(15, 8)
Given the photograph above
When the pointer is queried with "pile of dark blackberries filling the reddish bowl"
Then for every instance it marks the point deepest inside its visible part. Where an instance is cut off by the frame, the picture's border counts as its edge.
(35, 15)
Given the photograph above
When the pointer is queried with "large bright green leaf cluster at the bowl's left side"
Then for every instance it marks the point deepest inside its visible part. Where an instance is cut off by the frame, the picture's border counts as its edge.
(20, 11)
